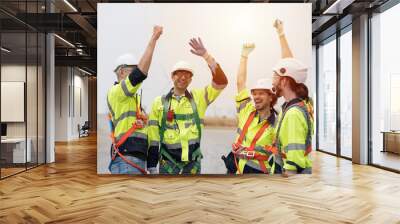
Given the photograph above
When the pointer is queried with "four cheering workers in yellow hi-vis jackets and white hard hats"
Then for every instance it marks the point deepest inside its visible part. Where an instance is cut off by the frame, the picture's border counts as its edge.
(169, 137)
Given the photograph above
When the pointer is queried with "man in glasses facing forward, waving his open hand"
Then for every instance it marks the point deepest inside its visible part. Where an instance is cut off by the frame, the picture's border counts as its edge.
(176, 119)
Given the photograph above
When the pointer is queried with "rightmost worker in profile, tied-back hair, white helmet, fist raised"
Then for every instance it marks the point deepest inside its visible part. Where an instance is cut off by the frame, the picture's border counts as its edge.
(294, 129)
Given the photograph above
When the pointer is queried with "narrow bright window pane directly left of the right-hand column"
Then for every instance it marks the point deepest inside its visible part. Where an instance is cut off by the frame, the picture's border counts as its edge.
(346, 94)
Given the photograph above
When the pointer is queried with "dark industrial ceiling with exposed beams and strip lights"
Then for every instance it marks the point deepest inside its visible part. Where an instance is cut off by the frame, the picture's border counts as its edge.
(76, 22)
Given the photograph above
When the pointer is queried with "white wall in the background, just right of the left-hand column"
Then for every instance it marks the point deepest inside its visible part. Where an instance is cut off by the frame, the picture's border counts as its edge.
(67, 115)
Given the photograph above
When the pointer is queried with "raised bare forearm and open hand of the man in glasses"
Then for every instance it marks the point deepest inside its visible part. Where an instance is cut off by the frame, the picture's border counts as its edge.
(219, 80)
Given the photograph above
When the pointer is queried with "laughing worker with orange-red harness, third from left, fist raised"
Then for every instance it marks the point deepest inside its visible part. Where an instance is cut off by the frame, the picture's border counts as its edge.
(256, 122)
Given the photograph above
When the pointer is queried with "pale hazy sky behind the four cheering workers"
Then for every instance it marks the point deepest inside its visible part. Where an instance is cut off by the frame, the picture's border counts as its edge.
(126, 28)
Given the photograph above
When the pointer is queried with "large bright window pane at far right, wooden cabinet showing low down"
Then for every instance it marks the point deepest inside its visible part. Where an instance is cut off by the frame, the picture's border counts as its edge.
(385, 86)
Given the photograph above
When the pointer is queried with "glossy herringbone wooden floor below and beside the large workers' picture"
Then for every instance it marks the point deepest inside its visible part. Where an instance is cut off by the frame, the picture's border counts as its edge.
(70, 191)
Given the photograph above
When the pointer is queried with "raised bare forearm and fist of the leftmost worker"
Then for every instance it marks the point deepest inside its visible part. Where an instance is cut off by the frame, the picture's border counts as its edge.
(145, 61)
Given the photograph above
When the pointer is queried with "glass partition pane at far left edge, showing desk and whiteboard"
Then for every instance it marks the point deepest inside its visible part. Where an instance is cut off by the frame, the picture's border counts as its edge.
(13, 87)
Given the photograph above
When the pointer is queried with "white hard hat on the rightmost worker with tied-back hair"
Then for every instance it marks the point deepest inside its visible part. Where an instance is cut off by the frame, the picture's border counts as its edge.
(293, 68)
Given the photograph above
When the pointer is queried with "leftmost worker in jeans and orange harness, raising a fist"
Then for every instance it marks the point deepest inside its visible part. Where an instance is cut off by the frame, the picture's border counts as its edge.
(127, 119)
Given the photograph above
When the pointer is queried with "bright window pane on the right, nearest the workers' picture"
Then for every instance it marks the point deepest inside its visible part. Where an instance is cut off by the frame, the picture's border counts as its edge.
(327, 97)
